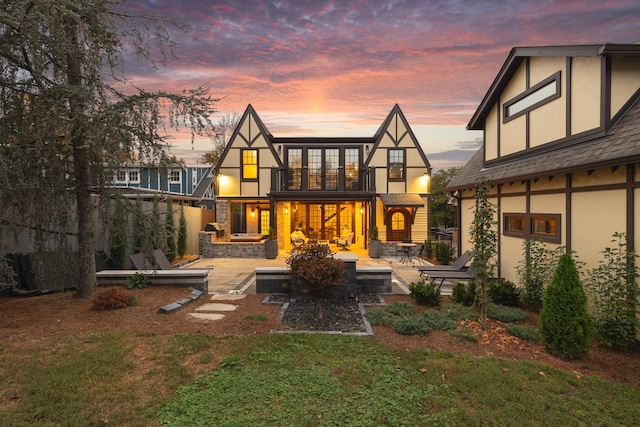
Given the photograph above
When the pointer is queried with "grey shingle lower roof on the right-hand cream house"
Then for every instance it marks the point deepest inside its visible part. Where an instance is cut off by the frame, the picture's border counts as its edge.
(619, 146)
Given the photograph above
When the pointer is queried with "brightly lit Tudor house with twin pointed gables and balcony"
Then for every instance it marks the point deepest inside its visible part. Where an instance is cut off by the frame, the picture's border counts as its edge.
(324, 187)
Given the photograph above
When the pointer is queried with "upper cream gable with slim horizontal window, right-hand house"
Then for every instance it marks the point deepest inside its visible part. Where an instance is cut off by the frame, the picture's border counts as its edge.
(547, 97)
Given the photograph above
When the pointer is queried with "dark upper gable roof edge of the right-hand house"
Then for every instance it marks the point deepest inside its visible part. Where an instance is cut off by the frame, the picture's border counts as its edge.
(519, 54)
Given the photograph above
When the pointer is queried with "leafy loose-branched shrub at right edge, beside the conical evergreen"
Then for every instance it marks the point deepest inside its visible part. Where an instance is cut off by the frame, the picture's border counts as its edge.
(614, 291)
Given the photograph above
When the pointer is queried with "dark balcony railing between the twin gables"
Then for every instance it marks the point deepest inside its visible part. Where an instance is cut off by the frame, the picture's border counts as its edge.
(338, 180)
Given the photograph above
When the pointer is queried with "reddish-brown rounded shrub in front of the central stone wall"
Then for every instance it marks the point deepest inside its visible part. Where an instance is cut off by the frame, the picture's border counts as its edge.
(315, 269)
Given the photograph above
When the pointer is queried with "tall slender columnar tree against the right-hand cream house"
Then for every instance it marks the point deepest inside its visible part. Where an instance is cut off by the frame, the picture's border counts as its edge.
(484, 235)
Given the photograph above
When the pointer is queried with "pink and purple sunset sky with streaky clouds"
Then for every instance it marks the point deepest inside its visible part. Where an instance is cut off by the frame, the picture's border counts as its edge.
(337, 68)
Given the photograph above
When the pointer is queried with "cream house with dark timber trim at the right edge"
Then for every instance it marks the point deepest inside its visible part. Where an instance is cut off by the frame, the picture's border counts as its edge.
(561, 150)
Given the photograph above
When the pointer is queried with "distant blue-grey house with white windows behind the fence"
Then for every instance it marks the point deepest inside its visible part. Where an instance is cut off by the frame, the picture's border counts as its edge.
(192, 184)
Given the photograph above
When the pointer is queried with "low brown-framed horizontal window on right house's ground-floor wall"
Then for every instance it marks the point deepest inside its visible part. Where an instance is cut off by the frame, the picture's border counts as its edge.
(533, 226)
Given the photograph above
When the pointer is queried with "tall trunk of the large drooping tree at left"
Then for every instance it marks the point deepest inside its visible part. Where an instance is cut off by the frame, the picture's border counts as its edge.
(82, 174)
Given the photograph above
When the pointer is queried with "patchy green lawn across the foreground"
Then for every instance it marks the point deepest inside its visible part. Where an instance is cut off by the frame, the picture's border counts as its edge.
(280, 380)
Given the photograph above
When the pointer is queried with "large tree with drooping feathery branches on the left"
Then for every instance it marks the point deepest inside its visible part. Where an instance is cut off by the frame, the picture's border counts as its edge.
(69, 118)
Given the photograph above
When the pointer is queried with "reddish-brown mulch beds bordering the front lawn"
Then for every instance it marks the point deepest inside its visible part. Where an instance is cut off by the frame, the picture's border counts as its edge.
(27, 320)
